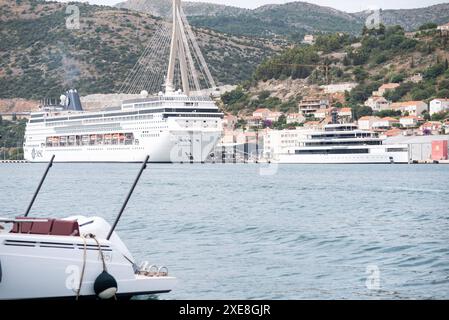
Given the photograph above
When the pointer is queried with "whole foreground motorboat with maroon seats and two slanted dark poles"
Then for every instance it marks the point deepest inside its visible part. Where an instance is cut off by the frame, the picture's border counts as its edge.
(73, 258)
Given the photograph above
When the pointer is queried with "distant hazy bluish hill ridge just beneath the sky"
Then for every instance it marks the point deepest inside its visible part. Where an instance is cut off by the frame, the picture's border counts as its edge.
(291, 20)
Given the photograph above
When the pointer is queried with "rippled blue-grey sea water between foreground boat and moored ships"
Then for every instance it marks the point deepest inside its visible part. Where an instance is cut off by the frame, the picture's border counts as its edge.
(229, 232)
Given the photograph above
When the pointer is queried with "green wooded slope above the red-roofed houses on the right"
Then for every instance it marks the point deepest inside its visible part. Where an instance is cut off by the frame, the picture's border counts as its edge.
(376, 57)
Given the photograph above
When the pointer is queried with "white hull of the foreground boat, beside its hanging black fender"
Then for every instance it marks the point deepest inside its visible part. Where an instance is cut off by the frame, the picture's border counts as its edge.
(50, 267)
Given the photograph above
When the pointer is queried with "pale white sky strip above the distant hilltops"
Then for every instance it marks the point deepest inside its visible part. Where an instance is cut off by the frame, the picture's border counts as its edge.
(345, 5)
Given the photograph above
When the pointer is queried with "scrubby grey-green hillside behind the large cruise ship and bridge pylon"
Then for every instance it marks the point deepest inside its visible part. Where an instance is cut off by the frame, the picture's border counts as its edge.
(41, 57)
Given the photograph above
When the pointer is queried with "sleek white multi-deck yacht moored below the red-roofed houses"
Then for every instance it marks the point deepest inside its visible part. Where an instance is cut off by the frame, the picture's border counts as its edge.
(336, 143)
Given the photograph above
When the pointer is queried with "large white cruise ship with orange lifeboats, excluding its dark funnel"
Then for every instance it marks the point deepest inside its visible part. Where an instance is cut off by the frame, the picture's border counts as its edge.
(168, 128)
